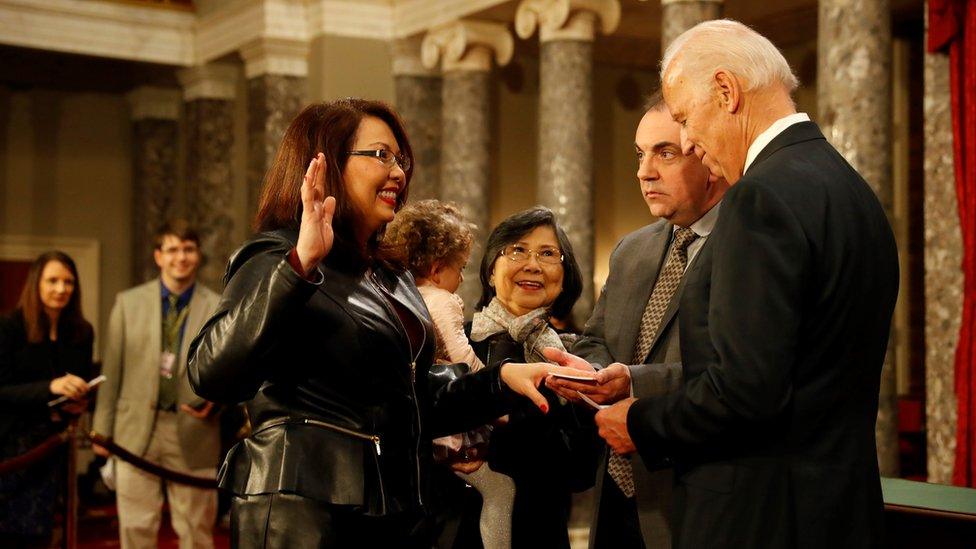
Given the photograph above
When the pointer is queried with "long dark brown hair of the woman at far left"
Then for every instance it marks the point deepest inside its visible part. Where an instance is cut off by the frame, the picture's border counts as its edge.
(72, 325)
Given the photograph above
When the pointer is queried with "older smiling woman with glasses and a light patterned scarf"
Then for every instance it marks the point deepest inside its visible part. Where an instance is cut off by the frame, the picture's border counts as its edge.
(528, 275)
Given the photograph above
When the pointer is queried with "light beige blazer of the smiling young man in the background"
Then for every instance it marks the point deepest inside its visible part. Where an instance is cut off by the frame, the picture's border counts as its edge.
(126, 405)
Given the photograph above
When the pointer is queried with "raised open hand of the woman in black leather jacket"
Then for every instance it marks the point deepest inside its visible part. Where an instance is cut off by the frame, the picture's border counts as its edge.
(315, 235)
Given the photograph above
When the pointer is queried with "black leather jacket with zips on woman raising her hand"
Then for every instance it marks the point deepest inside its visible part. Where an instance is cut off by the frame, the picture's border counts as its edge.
(343, 409)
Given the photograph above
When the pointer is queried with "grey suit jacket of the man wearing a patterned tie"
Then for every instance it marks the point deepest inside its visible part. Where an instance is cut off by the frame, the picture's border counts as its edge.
(611, 335)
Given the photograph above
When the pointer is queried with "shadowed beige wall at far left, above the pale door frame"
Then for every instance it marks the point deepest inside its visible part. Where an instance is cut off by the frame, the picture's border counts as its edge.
(65, 168)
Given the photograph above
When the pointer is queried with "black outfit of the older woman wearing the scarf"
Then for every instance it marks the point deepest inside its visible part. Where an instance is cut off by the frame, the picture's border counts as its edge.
(549, 456)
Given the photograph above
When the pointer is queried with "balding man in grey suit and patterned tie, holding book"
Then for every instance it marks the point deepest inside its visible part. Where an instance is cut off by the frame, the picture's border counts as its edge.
(633, 323)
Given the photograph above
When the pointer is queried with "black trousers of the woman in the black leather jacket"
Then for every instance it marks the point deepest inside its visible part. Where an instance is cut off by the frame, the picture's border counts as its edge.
(280, 521)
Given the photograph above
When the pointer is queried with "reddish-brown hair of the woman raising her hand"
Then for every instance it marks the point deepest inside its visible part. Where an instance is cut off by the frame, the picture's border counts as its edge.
(329, 128)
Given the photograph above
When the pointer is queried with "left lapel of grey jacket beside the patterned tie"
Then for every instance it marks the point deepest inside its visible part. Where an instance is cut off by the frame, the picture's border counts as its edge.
(642, 274)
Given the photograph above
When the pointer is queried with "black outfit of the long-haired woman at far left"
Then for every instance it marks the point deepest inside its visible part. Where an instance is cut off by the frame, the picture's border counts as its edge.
(27, 496)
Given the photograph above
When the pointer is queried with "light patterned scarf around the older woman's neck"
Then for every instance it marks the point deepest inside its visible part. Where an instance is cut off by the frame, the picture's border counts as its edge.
(532, 329)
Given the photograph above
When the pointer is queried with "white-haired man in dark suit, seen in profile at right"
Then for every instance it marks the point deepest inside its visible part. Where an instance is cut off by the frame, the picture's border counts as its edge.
(783, 338)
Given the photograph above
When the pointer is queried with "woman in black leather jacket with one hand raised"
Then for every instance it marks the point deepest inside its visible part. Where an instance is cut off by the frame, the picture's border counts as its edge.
(331, 347)
